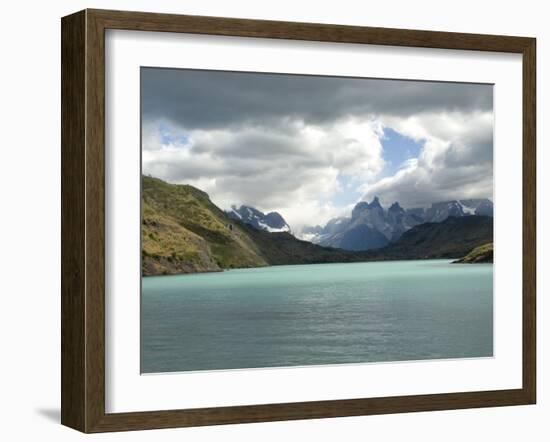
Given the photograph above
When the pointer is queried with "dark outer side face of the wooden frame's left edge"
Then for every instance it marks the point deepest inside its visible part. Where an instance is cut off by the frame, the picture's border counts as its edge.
(73, 252)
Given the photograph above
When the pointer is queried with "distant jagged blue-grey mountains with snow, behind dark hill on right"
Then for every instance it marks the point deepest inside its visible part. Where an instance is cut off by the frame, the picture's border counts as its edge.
(371, 226)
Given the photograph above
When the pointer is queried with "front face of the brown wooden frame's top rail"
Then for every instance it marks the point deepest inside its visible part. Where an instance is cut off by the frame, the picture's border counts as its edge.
(145, 21)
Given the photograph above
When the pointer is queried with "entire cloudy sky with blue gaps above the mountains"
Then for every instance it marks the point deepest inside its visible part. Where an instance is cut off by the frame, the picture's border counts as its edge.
(310, 147)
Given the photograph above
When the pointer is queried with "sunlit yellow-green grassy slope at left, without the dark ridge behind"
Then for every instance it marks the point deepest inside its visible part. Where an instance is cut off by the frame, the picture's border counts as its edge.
(183, 231)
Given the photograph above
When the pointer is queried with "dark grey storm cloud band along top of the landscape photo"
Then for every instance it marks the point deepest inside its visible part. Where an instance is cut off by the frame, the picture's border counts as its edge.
(199, 99)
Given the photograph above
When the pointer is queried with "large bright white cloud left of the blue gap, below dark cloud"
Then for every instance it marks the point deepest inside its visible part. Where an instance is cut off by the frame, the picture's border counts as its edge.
(294, 168)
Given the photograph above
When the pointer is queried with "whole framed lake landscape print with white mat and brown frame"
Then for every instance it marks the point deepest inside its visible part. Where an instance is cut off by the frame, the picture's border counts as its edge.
(270, 220)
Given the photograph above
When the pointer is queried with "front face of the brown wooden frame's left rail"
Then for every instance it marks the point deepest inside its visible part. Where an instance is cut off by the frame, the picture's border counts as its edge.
(95, 222)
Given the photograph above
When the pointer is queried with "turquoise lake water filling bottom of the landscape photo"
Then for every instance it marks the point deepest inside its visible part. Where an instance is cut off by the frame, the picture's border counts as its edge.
(317, 314)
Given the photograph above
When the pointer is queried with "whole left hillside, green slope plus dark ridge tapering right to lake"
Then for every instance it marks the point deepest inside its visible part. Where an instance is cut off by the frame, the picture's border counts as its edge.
(184, 232)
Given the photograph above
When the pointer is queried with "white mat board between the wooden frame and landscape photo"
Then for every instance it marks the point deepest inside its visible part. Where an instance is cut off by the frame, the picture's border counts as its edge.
(128, 391)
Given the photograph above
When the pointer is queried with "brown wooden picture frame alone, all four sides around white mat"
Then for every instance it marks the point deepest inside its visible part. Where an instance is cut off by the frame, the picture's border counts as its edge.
(83, 216)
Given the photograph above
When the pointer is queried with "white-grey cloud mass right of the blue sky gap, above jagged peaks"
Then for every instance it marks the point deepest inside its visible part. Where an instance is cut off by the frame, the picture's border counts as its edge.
(455, 162)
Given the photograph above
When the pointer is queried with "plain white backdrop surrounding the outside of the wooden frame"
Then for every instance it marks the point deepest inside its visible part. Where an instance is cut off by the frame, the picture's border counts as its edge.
(30, 217)
